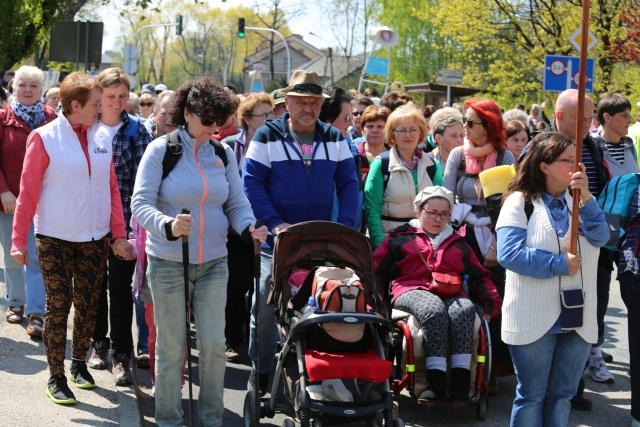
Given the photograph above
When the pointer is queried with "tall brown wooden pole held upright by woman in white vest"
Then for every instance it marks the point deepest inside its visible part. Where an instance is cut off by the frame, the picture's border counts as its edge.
(582, 83)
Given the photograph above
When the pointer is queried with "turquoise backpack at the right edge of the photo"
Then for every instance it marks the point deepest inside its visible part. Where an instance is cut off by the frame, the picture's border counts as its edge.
(615, 201)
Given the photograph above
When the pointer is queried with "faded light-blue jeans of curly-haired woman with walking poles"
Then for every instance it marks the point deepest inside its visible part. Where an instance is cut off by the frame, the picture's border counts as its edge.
(208, 290)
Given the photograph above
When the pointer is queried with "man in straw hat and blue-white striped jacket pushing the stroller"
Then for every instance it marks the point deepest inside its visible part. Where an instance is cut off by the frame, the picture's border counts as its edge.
(291, 170)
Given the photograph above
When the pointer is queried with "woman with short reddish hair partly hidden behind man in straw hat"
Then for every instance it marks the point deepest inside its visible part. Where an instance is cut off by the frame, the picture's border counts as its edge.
(252, 112)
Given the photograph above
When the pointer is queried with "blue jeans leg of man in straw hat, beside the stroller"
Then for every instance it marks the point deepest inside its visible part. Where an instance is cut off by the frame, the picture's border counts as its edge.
(268, 330)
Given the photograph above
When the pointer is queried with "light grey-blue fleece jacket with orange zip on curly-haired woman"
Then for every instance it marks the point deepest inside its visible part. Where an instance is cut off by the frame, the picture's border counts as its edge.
(199, 182)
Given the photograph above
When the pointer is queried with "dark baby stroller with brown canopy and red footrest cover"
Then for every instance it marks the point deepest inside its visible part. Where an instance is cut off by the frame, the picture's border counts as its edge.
(311, 363)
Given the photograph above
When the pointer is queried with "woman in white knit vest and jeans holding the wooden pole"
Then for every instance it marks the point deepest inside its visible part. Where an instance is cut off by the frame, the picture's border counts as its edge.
(548, 343)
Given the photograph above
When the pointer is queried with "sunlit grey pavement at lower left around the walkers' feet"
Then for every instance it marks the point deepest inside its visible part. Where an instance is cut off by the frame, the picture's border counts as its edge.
(23, 379)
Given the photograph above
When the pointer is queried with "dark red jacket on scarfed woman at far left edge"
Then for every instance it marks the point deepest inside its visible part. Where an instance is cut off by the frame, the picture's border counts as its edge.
(13, 146)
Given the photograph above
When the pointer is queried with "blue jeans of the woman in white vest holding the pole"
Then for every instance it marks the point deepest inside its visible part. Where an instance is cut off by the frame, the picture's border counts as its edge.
(548, 372)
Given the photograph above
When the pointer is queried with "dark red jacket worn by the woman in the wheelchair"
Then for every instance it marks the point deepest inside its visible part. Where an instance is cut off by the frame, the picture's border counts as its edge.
(398, 267)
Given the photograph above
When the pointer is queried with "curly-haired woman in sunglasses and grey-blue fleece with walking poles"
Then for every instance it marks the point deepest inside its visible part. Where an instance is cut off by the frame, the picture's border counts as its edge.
(212, 190)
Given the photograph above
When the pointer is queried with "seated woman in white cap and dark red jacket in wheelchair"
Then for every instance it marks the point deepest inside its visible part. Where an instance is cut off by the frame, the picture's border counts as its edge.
(446, 319)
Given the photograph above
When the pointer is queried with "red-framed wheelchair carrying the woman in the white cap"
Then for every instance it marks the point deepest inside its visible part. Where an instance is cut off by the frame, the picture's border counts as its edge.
(407, 341)
